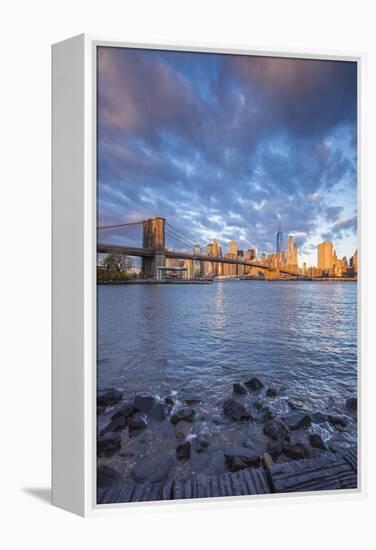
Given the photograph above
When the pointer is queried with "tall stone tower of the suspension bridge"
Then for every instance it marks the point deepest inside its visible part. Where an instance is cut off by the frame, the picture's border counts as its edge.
(153, 238)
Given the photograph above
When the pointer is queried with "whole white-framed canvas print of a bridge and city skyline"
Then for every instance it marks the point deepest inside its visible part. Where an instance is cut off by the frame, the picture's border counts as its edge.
(206, 274)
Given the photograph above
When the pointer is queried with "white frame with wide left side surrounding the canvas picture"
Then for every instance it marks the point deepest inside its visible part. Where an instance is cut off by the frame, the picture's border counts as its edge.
(74, 283)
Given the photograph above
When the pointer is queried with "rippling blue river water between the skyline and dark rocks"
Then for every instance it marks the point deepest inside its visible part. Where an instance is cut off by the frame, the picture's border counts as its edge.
(195, 341)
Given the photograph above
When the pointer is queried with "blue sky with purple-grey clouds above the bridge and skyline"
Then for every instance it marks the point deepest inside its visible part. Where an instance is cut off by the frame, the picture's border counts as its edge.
(229, 147)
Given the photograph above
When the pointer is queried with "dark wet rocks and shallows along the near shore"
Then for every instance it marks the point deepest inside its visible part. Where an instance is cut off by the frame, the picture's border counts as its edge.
(249, 434)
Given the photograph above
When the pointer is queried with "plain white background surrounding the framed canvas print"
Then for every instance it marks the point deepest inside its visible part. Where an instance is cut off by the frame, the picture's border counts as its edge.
(27, 30)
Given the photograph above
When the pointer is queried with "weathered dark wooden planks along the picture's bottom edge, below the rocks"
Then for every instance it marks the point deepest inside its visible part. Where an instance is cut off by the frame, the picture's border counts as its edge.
(326, 473)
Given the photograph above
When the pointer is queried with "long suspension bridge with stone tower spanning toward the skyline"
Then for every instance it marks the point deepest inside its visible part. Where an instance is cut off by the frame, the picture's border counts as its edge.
(154, 248)
